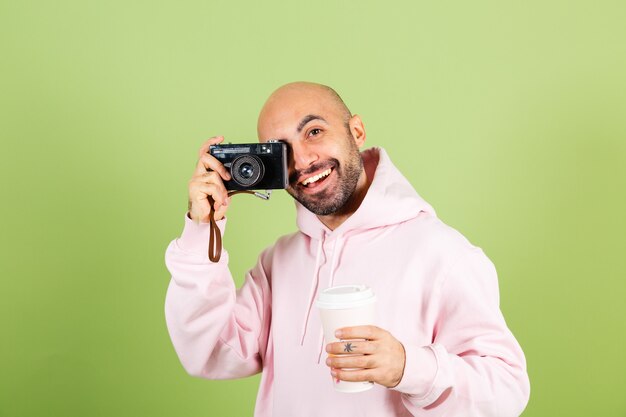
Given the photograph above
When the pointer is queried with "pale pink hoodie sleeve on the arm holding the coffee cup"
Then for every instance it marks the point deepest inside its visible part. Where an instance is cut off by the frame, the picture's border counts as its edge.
(475, 367)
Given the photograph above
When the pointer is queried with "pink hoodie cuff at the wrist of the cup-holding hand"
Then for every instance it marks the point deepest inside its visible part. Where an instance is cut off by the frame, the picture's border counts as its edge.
(420, 372)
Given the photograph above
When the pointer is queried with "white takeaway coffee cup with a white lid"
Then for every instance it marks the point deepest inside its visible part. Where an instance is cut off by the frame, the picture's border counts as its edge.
(346, 306)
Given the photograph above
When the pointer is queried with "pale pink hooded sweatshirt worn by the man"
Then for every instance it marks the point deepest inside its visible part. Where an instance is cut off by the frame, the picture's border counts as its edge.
(436, 293)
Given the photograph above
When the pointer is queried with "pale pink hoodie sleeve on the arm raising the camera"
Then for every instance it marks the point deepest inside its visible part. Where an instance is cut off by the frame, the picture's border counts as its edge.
(218, 332)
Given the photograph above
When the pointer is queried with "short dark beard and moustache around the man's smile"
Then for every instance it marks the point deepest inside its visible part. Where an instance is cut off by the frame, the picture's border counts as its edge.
(331, 201)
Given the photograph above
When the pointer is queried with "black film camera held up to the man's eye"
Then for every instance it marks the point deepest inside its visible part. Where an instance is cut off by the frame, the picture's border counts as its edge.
(254, 166)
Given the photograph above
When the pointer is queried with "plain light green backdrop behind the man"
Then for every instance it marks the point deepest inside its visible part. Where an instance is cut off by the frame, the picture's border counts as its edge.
(508, 117)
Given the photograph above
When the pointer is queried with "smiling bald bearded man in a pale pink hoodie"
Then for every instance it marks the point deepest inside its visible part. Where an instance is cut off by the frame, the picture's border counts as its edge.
(441, 346)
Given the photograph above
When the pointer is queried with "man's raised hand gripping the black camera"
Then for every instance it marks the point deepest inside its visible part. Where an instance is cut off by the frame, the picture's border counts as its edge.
(207, 181)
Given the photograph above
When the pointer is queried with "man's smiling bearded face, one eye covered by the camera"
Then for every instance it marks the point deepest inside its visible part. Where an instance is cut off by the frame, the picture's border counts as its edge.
(324, 160)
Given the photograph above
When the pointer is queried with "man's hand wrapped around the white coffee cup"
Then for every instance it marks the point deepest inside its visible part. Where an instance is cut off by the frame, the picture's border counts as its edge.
(378, 356)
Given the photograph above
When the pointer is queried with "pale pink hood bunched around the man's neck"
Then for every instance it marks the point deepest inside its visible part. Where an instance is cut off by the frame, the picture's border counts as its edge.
(390, 199)
